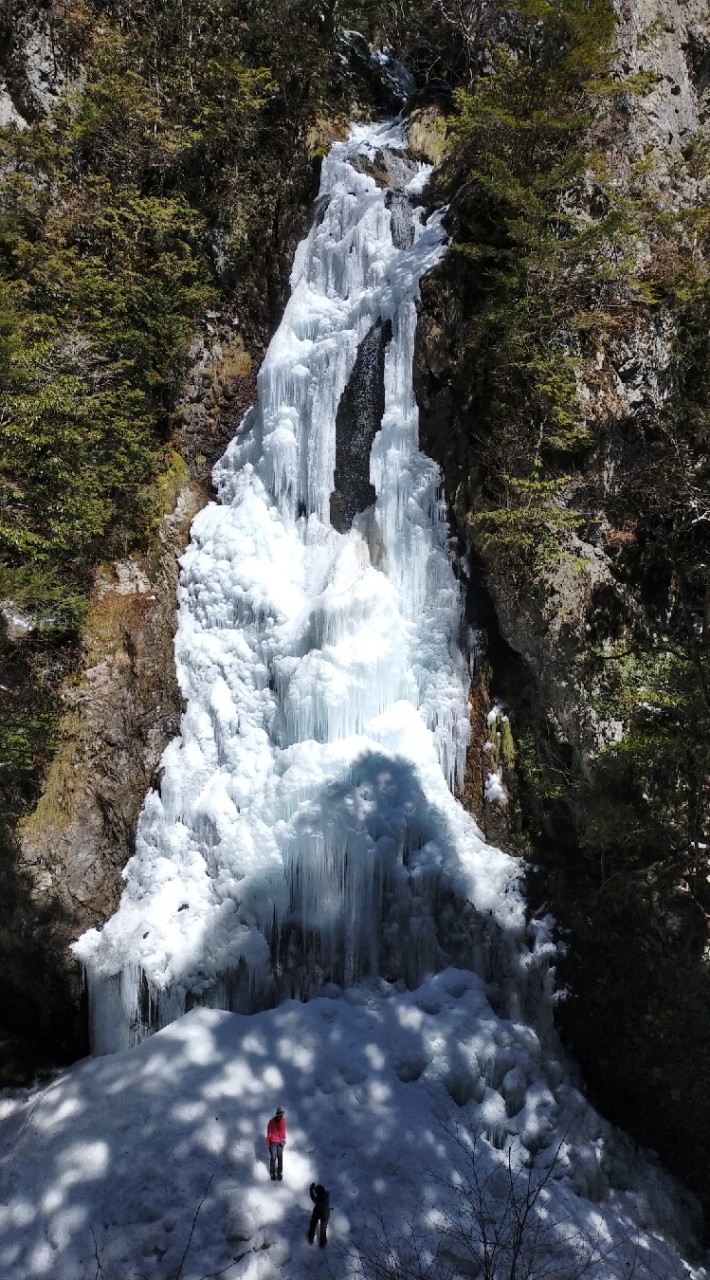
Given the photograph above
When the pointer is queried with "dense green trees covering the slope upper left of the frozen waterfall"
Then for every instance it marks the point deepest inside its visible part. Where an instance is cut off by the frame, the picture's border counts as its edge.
(122, 218)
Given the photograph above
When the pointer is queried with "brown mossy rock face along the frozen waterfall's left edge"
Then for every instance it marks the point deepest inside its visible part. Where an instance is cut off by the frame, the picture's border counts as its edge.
(122, 703)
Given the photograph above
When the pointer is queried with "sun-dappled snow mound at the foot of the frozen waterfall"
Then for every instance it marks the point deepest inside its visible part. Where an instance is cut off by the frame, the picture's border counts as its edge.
(153, 1163)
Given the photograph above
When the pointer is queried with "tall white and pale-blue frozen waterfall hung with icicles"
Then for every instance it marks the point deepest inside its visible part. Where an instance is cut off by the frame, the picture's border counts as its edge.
(306, 831)
